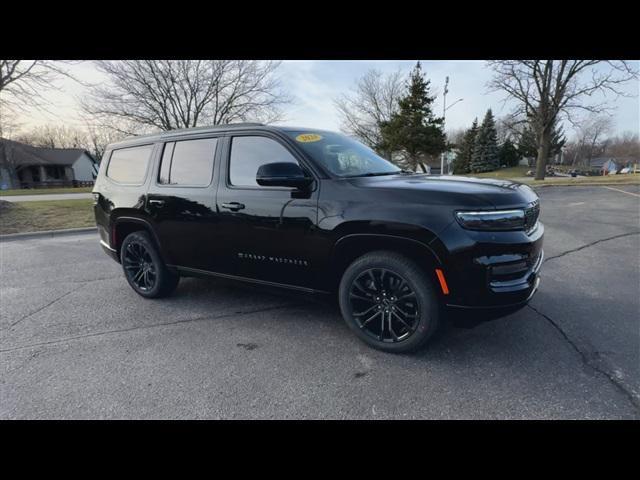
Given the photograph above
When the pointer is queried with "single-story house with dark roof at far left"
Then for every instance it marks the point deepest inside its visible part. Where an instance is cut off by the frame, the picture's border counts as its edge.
(24, 166)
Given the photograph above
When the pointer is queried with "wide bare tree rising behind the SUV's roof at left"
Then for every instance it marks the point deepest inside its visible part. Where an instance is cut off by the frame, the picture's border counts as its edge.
(171, 94)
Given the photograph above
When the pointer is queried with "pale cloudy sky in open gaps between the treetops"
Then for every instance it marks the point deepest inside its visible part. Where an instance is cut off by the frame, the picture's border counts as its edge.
(314, 85)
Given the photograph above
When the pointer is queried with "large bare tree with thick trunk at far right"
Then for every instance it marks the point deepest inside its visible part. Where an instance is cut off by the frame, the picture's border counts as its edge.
(546, 89)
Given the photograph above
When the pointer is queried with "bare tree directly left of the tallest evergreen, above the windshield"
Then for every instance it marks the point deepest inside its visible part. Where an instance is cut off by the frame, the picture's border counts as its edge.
(373, 101)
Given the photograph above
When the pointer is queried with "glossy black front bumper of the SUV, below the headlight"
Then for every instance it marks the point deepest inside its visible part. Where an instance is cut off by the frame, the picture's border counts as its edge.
(488, 270)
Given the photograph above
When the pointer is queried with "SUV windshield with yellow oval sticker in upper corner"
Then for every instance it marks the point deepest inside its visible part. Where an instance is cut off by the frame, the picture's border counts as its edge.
(342, 155)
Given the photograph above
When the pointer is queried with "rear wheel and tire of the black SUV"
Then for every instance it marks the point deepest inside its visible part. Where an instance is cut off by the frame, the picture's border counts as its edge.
(144, 269)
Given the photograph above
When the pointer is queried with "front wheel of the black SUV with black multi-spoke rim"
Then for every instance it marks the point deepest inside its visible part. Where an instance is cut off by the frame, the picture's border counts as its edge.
(408, 299)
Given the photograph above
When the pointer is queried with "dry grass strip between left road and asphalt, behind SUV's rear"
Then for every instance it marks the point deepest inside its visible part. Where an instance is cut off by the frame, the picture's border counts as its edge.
(48, 215)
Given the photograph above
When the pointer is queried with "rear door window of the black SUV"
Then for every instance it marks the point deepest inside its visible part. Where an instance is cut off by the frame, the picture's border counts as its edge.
(188, 162)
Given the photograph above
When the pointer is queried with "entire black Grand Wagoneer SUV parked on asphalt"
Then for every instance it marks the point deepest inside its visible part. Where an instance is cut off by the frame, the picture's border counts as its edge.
(317, 211)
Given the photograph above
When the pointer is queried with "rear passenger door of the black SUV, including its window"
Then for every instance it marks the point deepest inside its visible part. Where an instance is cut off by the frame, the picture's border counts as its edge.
(181, 202)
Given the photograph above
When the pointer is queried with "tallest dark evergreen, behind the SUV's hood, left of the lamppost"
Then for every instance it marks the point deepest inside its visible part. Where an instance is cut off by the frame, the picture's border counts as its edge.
(414, 130)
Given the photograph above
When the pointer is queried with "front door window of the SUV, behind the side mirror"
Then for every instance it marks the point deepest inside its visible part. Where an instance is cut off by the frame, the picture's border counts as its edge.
(249, 153)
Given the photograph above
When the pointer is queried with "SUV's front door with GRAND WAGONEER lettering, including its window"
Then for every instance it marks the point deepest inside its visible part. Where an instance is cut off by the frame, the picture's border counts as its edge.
(270, 232)
